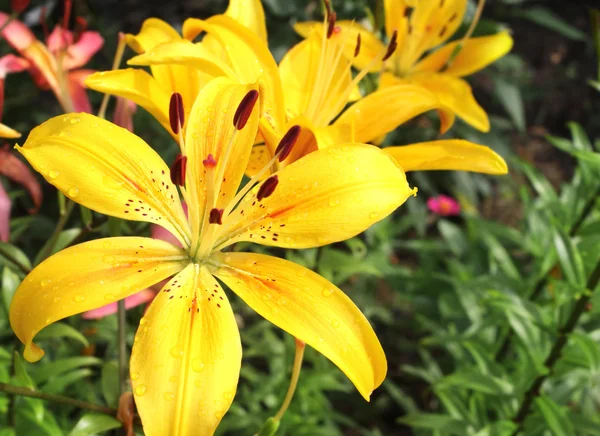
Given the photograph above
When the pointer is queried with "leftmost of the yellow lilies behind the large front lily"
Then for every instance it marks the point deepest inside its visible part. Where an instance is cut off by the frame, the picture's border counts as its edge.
(168, 75)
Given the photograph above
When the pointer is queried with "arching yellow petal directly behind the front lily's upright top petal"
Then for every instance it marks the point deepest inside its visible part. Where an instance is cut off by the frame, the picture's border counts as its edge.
(249, 57)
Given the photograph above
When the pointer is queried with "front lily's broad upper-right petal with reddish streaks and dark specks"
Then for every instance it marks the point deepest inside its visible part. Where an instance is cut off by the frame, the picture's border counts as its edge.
(327, 196)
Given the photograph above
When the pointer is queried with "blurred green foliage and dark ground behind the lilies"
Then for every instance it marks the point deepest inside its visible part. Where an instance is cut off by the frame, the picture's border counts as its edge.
(487, 316)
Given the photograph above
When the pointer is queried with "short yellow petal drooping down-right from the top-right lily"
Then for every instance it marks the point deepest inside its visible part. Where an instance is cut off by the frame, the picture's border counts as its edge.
(457, 95)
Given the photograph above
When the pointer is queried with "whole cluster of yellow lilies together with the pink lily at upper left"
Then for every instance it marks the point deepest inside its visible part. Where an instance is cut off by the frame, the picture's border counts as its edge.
(300, 131)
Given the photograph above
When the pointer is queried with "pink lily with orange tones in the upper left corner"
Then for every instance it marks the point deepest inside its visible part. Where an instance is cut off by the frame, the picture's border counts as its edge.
(54, 65)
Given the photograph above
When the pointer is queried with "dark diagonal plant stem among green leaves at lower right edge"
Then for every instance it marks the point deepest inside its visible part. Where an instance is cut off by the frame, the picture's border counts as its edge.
(555, 352)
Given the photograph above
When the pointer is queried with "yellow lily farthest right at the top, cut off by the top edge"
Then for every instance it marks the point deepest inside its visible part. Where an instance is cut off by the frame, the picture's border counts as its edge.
(420, 27)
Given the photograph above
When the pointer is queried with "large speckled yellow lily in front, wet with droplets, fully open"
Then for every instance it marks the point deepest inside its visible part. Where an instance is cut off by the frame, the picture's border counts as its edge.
(187, 354)
